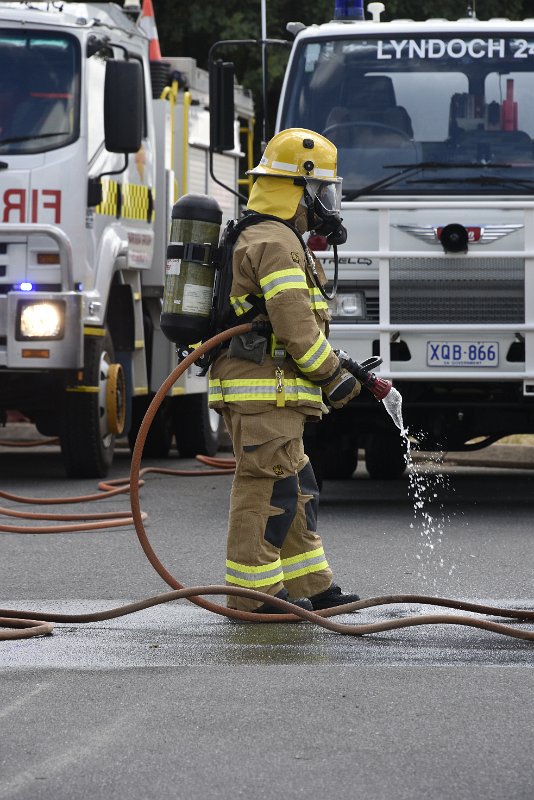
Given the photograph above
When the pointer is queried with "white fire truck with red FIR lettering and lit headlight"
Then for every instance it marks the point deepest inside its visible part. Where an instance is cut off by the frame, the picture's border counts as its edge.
(98, 138)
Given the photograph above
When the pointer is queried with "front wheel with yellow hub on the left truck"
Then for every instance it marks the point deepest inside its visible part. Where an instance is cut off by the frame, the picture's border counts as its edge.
(93, 418)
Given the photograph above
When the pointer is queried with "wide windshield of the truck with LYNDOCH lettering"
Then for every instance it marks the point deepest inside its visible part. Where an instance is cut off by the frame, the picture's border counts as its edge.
(437, 115)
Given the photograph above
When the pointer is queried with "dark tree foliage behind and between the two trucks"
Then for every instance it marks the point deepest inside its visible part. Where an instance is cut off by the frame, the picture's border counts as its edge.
(190, 29)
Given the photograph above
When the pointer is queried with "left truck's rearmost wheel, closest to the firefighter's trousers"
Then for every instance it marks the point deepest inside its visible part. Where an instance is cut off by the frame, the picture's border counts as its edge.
(196, 426)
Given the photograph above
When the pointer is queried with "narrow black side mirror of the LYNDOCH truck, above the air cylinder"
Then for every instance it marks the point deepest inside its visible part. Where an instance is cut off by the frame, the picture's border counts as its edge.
(221, 106)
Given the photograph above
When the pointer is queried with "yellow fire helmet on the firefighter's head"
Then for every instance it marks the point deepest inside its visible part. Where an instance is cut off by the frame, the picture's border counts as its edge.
(299, 153)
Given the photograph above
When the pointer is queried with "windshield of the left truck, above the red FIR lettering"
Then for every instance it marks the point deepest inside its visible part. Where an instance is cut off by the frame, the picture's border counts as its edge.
(39, 91)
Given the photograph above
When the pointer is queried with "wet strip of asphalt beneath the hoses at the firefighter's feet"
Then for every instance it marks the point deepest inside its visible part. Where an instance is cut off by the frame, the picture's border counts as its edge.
(178, 634)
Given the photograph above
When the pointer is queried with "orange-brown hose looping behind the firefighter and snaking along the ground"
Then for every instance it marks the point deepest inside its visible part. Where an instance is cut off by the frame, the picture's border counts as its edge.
(28, 623)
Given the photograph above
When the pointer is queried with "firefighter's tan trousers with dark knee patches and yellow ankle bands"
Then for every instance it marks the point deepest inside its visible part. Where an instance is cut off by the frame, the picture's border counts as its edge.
(272, 542)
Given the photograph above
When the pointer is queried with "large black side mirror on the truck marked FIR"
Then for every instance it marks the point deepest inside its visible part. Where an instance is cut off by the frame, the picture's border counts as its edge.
(123, 106)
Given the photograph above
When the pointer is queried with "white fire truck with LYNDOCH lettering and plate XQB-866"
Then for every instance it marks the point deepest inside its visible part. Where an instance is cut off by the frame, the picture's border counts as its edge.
(434, 125)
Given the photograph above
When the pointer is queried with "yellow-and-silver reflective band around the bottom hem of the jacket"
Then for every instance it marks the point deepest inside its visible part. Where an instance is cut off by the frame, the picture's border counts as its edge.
(239, 390)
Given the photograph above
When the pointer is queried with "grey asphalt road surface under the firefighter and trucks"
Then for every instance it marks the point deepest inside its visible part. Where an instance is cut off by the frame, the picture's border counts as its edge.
(174, 702)
